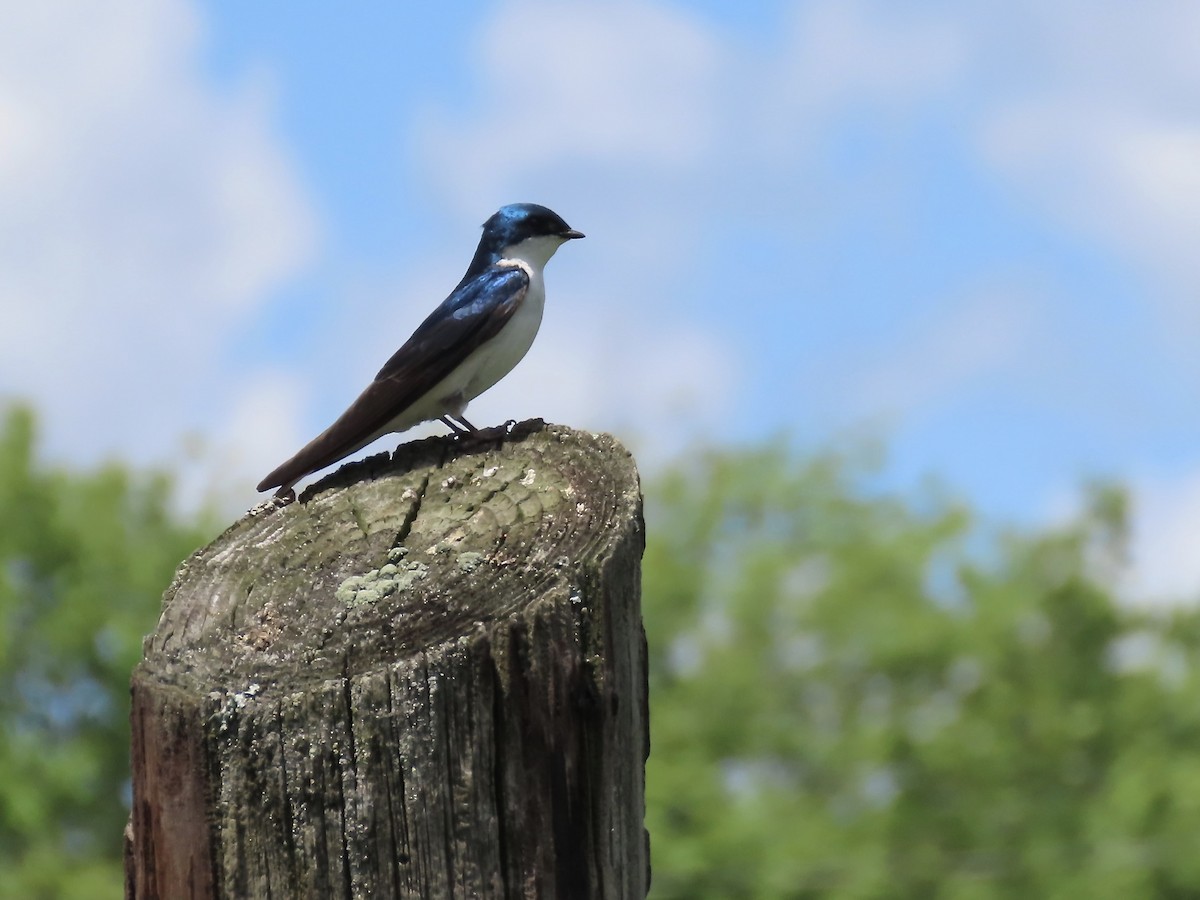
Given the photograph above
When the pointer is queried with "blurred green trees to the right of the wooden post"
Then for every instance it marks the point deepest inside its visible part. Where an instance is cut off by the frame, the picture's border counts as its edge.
(856, 697)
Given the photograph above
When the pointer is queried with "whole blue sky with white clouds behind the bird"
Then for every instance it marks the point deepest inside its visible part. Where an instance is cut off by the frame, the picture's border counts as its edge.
(970, 230)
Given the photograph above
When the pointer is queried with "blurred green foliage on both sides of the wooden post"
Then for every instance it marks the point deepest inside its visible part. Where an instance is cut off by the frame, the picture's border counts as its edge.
(854, 694)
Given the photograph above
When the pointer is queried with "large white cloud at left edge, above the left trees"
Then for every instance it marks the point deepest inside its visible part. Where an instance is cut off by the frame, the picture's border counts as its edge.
(143, 215)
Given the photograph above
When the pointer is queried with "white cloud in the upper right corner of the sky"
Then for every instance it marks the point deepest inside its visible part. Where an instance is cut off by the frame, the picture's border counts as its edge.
(1097, 125)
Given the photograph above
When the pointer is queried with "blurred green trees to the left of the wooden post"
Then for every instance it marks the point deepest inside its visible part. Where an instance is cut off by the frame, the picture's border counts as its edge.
(85, 559)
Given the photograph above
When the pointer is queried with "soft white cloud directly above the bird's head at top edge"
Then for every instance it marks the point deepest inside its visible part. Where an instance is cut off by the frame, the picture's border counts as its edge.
(622, 83)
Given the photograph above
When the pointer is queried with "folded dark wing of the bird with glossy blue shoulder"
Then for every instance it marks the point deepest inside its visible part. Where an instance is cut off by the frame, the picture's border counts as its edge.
(470, 317)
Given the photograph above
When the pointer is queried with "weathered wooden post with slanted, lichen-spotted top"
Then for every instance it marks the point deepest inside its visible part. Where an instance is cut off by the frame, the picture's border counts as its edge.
(424, 680)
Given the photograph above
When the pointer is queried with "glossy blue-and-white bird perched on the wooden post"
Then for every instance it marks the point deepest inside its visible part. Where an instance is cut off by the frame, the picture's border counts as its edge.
(469, 344)
